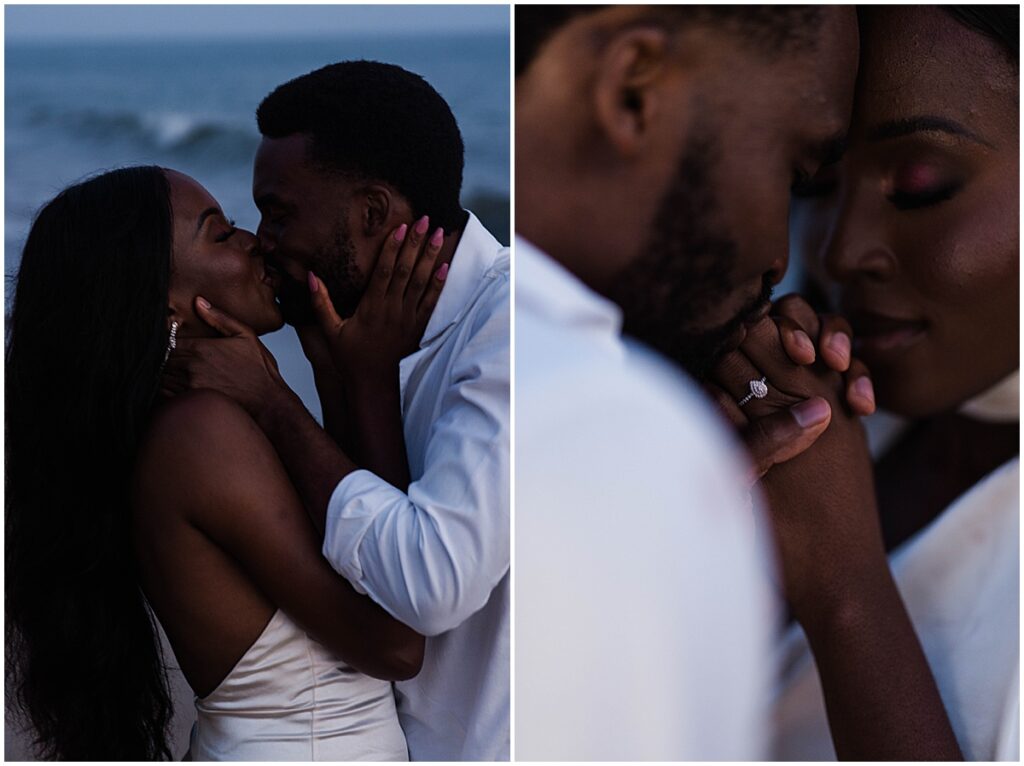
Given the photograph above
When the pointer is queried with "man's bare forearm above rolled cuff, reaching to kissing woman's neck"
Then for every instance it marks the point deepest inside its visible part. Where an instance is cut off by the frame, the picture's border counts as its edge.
(315, 463)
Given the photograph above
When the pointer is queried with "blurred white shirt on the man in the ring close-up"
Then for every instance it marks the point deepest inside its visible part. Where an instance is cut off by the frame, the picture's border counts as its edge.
(645, 614)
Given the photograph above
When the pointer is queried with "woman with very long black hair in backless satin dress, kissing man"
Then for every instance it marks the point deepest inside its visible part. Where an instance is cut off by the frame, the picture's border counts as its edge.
(118, 499)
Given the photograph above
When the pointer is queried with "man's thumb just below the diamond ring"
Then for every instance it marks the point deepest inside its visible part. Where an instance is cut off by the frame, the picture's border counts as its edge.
(782, 437)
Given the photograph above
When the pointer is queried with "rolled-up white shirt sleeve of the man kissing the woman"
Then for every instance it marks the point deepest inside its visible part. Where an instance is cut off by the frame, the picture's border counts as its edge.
(432, 558)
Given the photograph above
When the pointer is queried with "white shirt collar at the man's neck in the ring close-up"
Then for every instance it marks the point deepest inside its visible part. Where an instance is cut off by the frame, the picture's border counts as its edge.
(546, 288)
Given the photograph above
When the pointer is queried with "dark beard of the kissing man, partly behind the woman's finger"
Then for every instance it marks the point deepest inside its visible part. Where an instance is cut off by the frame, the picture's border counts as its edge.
(335, 265)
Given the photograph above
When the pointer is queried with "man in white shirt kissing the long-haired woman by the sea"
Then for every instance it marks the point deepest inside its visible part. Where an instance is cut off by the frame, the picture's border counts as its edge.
(351, 152)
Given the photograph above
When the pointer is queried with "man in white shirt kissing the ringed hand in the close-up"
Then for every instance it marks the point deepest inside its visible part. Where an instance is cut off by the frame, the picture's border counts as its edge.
(655, 152)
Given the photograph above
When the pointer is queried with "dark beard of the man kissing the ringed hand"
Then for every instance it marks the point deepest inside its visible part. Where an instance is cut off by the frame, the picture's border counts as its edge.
(682, 275)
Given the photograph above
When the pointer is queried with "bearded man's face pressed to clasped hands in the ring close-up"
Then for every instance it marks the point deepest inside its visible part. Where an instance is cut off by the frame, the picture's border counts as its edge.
(718, 241)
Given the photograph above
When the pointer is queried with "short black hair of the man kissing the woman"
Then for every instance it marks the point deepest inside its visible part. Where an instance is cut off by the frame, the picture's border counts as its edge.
(376, 122)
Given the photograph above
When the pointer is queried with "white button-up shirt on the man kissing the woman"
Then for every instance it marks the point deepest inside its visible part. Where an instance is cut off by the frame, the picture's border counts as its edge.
(438, 559)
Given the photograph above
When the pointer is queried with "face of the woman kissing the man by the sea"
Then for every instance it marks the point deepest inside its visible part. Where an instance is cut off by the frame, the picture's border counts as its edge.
(217, 261)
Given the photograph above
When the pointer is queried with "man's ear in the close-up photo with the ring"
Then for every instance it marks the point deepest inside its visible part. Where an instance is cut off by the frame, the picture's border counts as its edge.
(627, 96)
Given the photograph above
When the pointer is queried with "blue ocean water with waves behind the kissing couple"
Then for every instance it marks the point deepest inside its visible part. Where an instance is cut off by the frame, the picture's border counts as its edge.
(75, 109)
